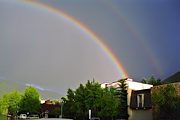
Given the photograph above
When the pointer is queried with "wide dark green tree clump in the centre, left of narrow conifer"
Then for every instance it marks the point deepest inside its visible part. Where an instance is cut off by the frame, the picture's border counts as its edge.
(102, 102)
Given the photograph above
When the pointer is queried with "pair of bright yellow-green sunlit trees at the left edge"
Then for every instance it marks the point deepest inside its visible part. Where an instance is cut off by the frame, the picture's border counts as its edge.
(14, 102)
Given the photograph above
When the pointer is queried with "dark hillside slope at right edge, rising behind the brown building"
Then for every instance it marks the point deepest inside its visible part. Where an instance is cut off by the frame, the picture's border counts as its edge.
(173, 78)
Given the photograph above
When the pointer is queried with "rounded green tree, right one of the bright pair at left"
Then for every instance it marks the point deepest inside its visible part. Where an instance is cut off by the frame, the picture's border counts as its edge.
(30, 102)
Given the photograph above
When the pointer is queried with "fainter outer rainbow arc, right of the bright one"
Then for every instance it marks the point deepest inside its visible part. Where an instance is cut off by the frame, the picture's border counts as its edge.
(140, 38)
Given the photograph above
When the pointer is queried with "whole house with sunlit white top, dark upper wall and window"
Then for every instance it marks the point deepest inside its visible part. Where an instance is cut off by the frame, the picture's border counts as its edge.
(139, 99)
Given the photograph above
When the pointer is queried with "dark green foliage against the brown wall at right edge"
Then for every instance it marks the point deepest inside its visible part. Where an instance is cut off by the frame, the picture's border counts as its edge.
(166, 101)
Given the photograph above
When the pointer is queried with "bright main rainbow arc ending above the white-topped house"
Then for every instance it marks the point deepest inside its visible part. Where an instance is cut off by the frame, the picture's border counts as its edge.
(85, 29)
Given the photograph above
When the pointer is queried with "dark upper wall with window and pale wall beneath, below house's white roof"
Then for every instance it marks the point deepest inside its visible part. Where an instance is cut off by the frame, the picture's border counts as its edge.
(140, 107)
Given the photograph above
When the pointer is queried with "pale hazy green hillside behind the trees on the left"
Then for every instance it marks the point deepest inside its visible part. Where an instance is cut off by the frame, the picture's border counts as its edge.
(8, 86)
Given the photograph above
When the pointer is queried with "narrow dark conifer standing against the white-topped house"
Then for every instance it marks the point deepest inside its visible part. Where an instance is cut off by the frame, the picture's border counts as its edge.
(122, 95)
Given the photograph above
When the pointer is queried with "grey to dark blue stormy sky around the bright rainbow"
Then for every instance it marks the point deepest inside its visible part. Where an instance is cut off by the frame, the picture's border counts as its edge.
(39, 47)
